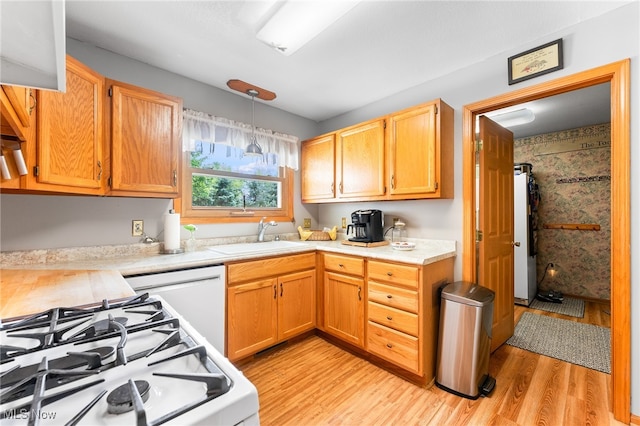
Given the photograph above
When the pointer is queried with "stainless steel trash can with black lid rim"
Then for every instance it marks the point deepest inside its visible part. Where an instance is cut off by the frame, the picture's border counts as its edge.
(464, 342)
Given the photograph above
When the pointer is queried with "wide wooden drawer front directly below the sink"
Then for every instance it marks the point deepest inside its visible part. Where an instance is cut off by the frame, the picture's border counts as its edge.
(268, 267)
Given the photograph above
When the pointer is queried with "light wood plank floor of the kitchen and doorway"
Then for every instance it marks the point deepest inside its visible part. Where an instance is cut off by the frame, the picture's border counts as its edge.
(312, 382)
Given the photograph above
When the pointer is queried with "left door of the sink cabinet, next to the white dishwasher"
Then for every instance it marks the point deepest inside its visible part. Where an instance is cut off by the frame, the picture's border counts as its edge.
(251, 317)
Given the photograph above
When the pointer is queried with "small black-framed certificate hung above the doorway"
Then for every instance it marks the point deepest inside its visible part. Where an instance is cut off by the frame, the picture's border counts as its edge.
(535, 62)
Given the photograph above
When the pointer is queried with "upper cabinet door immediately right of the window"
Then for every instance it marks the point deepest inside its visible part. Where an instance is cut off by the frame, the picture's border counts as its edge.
(317, 169)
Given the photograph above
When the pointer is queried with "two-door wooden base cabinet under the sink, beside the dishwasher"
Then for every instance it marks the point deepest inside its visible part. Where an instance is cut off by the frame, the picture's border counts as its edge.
(264, 312)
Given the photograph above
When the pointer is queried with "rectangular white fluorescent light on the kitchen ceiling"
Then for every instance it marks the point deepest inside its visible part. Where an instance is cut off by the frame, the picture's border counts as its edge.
(295, 23)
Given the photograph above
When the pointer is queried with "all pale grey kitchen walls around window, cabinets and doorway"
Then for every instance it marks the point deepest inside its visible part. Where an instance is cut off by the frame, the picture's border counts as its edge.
(29, 222)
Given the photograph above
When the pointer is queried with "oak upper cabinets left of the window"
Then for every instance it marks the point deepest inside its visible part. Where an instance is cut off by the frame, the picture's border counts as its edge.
(100, 137)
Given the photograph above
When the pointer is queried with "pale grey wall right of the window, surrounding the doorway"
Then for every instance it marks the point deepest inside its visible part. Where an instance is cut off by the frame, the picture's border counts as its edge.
(603, 40)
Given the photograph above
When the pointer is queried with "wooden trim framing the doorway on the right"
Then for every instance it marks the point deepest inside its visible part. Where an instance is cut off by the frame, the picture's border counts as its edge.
(618, 74)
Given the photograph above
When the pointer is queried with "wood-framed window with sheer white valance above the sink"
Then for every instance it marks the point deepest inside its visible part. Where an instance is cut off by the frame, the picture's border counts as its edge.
(223, 184)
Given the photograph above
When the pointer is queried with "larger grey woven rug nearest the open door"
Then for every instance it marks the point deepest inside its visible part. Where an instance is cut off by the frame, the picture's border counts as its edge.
(582, 344)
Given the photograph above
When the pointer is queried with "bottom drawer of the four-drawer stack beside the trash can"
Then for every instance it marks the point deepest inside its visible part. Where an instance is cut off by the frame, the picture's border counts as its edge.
(394, 346)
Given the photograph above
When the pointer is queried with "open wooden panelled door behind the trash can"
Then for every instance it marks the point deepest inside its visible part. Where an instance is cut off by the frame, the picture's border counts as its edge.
(495, 248)
